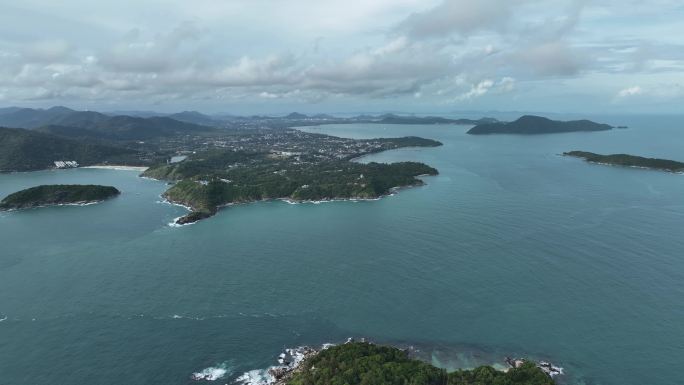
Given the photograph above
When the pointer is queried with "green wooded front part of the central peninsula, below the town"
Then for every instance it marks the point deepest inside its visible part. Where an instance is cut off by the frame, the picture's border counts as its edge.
(213, 180)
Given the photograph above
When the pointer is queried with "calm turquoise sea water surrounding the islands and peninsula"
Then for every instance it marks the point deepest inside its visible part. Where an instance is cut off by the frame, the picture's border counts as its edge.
(511, 250)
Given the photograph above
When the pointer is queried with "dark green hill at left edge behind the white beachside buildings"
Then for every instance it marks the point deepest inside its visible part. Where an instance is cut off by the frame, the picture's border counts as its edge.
(23, 150)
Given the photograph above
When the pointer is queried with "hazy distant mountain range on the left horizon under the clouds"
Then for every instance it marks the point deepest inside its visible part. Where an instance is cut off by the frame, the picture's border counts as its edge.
(66, 122)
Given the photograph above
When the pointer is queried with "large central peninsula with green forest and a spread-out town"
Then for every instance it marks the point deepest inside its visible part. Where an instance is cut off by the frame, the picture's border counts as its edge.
(300, 167)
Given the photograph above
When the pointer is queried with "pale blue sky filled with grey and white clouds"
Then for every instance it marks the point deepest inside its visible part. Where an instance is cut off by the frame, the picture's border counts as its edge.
(336, 56)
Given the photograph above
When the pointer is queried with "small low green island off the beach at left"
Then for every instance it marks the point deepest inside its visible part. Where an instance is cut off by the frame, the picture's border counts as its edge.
(52, 195)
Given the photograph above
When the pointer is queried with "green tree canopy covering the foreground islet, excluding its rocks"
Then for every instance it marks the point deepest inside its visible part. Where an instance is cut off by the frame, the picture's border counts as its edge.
(369, 364)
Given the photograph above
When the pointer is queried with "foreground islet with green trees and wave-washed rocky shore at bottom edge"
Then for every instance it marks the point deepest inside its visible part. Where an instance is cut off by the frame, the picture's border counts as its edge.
(368, 363)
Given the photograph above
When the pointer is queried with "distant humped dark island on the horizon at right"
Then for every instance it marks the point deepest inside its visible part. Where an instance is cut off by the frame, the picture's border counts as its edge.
(531, 125)
